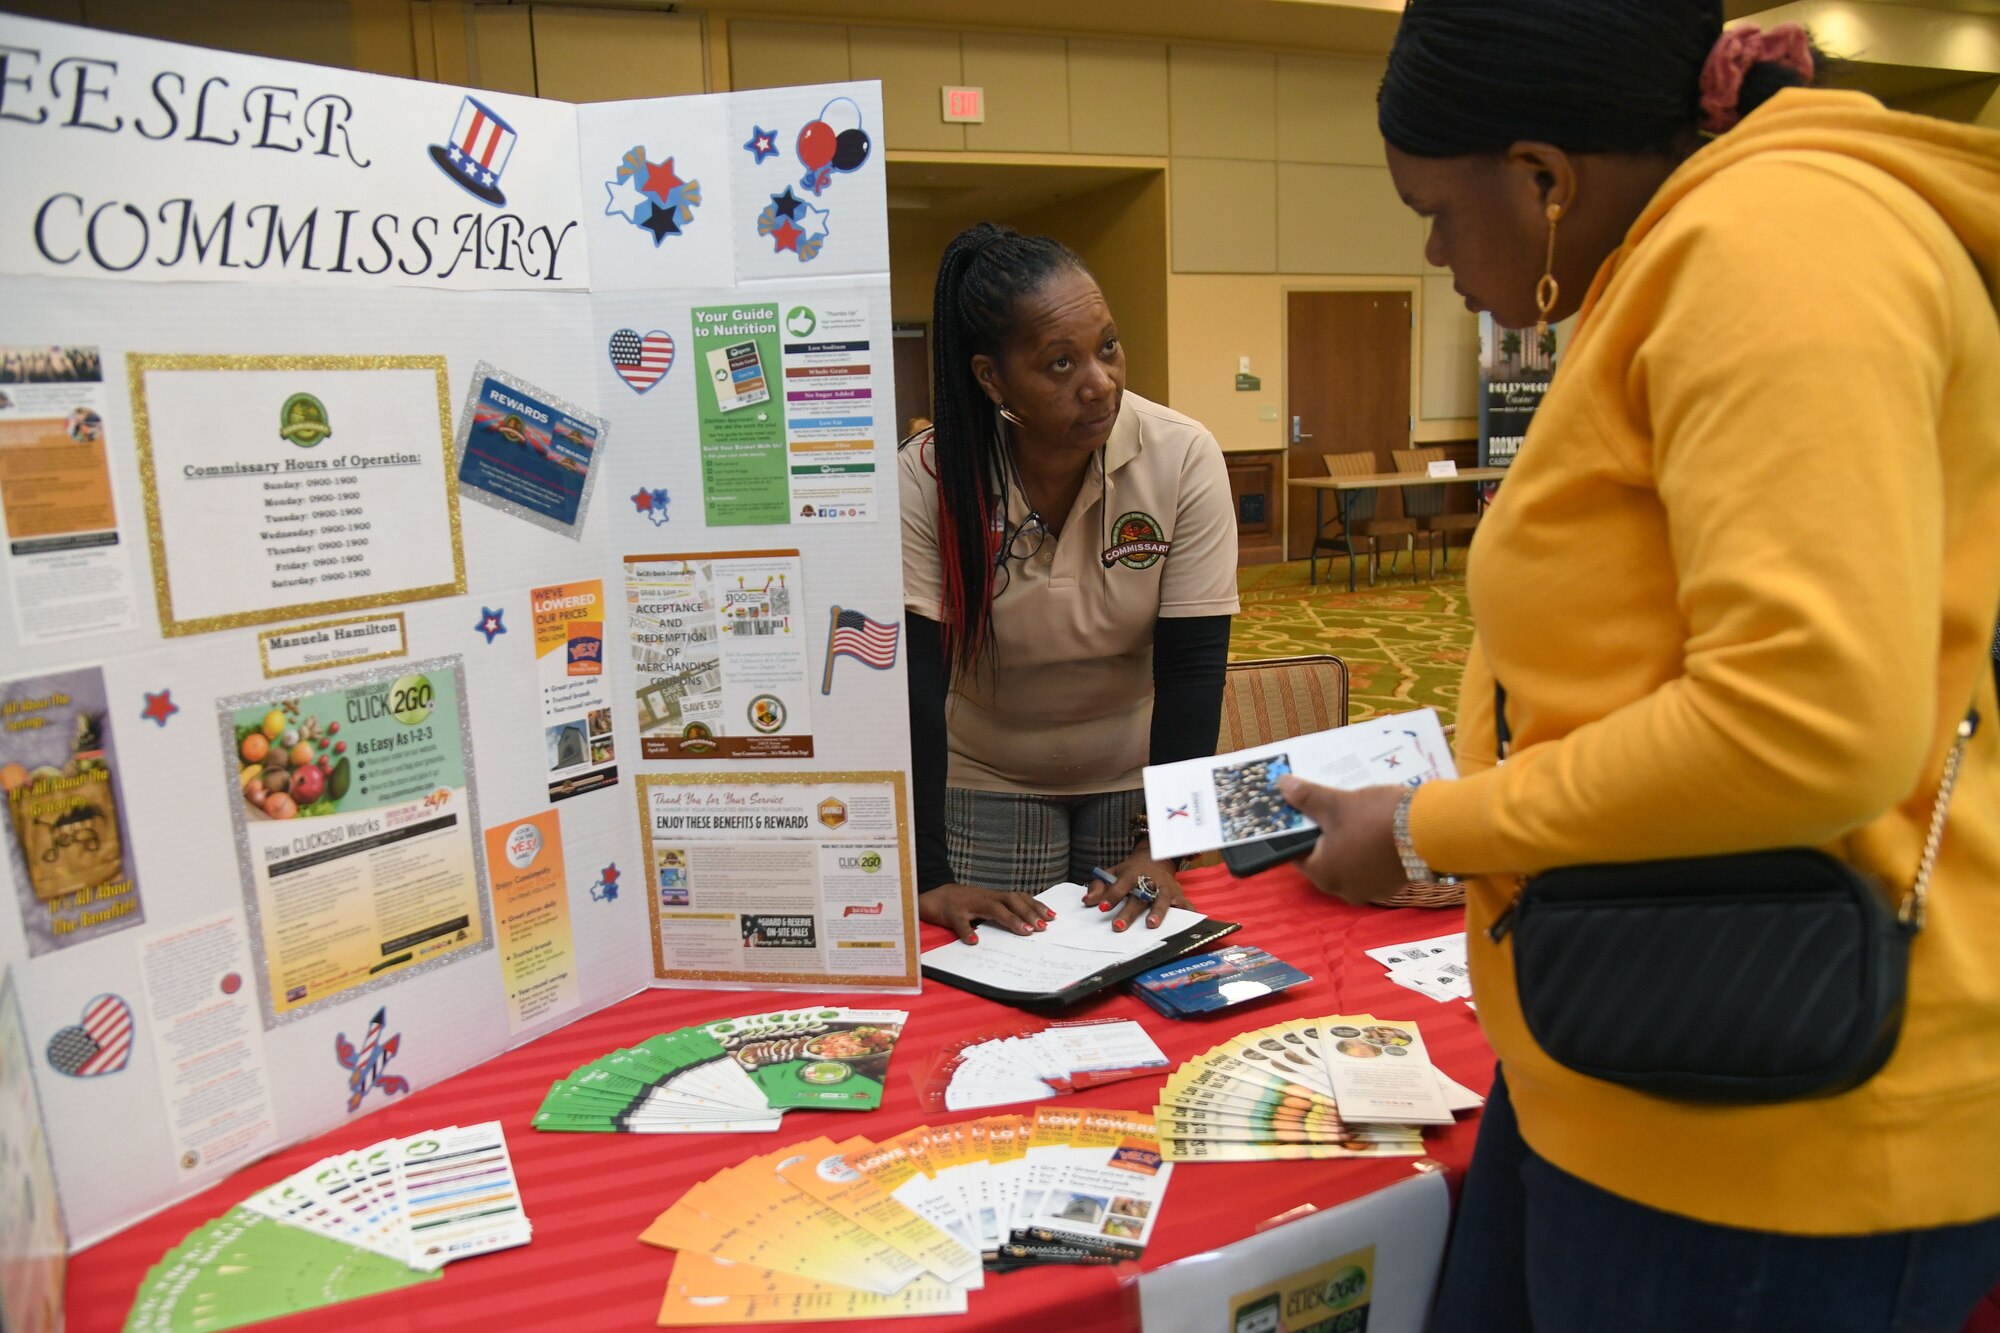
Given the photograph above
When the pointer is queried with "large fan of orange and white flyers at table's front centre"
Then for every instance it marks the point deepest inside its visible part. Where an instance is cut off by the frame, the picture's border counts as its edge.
(859, 1230)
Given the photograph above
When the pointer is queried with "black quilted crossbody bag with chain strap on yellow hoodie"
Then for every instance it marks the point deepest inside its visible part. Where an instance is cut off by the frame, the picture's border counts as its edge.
(1753, 978)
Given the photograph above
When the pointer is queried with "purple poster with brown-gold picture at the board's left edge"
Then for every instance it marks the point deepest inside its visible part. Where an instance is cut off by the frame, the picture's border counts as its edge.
(67, 832)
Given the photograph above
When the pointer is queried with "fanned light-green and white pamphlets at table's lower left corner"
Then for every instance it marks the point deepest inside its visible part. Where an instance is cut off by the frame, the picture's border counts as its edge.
(351, 1226)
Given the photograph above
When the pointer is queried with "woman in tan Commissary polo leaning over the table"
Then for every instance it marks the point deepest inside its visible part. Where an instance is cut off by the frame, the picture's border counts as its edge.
(1069, 559)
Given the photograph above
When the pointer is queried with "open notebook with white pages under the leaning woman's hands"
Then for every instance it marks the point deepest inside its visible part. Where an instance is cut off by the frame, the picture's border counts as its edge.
(1075, 958)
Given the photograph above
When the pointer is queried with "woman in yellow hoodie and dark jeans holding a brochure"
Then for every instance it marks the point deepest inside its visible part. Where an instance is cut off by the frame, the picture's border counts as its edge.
(1741, 587)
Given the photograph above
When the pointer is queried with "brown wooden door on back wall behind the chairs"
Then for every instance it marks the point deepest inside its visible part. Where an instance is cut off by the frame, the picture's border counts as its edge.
(1347, 389)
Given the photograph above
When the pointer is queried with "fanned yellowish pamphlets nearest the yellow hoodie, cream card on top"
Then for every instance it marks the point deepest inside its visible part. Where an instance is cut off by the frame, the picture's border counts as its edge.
(1347, 1086)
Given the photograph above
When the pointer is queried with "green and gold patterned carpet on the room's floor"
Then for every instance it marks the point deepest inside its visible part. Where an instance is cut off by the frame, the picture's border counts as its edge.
(1405, 641)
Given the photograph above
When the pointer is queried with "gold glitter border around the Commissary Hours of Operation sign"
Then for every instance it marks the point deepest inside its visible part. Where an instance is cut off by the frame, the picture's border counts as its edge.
(171, 627)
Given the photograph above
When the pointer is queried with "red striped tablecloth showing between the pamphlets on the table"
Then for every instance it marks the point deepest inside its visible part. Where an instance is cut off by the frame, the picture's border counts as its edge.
(591, 1196)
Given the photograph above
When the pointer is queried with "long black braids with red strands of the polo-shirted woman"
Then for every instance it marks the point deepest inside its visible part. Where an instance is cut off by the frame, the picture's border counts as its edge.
(983, 279)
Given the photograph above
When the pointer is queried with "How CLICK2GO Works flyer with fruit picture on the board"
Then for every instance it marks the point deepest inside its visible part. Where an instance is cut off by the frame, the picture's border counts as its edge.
(357, 832)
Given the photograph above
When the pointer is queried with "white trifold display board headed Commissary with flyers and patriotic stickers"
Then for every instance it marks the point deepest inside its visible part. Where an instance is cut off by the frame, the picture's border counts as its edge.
(451, 581)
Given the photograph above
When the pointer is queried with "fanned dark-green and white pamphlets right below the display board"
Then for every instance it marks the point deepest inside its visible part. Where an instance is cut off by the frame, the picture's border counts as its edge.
(737, 1076)
